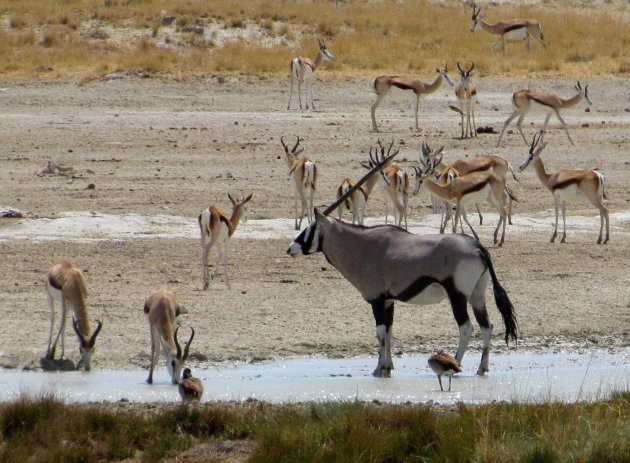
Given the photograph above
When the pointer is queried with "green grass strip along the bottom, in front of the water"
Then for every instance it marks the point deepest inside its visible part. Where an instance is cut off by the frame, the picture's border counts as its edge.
(46, 430)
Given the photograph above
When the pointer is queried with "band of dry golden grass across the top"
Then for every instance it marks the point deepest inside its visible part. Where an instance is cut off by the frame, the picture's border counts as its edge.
(49, 39)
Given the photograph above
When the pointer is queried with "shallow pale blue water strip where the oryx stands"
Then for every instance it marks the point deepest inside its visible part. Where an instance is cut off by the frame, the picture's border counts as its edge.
(518, 376)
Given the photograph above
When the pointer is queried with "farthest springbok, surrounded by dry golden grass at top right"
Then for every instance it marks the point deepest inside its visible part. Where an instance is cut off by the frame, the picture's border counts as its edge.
(514, 30)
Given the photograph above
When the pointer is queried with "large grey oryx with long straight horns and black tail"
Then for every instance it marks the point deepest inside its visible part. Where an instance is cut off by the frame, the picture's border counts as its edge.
(386, 264)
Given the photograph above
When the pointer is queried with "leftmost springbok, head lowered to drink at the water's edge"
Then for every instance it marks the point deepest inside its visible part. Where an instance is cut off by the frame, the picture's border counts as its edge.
(65, 284)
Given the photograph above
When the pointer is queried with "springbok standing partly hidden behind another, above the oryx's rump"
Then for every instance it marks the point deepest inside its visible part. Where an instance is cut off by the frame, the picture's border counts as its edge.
(489, 163)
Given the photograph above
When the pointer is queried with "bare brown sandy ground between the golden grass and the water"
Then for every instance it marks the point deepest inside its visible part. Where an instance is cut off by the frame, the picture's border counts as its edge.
(172, 148)
